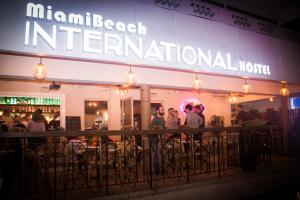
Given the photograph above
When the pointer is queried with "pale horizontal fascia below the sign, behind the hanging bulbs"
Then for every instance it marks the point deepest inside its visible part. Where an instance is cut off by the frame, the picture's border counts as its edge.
(21, 67)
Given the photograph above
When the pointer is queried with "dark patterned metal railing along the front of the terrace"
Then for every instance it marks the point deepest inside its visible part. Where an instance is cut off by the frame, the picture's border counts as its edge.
(56, 163)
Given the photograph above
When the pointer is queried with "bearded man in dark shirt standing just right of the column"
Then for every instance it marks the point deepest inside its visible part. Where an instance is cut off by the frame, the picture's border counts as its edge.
(158, 122)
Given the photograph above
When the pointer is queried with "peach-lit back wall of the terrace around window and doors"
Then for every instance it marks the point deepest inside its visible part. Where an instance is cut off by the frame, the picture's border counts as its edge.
(76, 94)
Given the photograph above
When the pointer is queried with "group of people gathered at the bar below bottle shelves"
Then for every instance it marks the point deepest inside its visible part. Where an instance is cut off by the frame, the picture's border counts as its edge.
(37, 123)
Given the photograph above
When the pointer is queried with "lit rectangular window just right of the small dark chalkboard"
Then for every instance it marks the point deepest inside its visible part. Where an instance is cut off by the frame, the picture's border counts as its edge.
(96, 115)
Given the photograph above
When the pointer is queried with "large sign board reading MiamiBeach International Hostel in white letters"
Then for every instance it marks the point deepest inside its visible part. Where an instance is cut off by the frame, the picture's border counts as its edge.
(135, 33)
